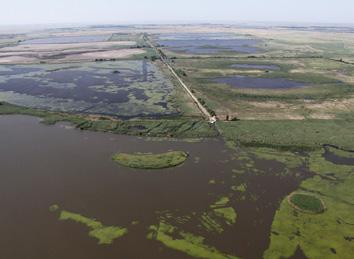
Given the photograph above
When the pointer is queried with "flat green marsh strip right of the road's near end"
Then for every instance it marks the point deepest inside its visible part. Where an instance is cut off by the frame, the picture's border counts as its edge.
(290, 135)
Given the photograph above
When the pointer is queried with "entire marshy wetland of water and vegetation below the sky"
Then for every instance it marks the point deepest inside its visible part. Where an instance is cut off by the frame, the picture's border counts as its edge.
(105, 155)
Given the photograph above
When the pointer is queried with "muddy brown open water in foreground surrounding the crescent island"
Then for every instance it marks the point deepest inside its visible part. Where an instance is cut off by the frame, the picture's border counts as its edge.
(44, 165)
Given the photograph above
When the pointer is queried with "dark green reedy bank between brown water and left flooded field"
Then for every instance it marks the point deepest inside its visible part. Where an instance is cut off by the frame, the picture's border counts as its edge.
(170, 128)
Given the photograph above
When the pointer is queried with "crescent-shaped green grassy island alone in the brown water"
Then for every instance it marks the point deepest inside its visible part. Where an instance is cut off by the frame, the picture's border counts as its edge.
(151, 161)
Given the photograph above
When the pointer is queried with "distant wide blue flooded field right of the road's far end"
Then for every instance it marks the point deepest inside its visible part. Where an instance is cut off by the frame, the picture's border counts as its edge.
(208, 43)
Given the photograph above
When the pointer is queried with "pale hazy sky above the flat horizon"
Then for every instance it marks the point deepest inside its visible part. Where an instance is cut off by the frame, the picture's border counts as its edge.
(19, 12)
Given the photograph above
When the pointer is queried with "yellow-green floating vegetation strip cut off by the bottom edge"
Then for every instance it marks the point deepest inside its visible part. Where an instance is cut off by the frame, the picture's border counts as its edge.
(185, 242)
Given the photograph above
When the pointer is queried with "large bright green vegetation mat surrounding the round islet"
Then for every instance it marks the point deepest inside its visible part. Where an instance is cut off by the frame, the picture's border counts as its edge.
(324, 235)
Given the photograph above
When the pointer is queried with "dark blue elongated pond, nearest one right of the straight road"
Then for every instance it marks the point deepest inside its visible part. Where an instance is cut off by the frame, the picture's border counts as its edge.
(258, 83)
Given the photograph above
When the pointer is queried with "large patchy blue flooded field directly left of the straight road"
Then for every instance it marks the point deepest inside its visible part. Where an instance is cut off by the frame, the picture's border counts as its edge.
(122, 88)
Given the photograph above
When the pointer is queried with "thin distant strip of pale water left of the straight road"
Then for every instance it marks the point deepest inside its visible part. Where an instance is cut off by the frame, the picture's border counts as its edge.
(67, 39)
